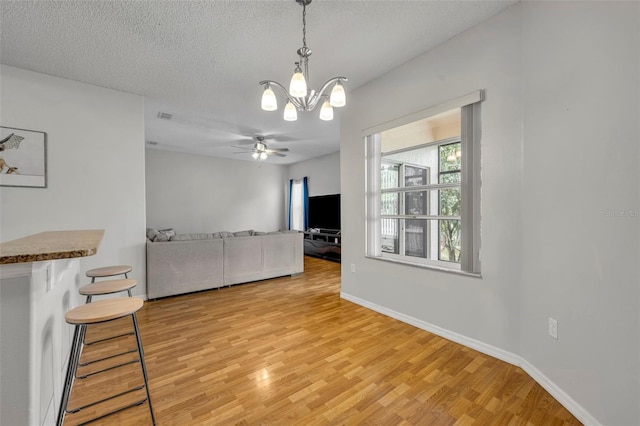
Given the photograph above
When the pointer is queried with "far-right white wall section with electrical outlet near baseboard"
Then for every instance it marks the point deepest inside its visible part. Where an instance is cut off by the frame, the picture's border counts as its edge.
(580, 262)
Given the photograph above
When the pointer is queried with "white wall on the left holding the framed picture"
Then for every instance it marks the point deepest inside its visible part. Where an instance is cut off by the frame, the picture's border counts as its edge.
(95, 165)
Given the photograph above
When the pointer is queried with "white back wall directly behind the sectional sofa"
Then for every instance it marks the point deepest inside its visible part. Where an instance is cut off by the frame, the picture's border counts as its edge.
(191, 193)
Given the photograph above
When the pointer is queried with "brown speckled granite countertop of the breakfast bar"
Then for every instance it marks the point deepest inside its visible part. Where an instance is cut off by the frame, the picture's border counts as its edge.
(51, 245)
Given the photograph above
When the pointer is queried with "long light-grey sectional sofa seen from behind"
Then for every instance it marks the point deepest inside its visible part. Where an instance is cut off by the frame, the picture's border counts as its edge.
(194, 262)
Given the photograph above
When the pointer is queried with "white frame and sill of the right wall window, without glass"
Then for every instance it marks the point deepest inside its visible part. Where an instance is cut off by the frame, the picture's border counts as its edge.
(470, 186)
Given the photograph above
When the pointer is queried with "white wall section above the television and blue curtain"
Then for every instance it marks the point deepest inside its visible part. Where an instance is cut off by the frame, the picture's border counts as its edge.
(323, 173)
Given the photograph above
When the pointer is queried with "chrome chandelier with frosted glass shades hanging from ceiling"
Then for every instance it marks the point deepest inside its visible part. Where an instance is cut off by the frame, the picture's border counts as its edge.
(299, 96)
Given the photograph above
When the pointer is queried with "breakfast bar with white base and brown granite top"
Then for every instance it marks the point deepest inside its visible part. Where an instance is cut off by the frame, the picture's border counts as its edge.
(39, 281)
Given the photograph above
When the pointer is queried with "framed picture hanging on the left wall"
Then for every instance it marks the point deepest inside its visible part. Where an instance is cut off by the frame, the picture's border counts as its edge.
(23, 158)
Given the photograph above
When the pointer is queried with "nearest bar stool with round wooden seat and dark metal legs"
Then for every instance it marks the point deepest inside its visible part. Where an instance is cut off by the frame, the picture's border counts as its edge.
(95, 313)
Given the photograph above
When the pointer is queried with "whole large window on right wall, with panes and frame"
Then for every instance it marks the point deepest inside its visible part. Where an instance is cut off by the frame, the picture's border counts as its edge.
(423, 187)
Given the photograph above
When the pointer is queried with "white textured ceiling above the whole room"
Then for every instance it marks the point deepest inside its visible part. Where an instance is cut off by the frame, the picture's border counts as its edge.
(202, 60)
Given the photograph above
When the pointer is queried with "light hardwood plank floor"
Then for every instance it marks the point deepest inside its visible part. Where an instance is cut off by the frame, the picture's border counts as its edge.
(289, 351)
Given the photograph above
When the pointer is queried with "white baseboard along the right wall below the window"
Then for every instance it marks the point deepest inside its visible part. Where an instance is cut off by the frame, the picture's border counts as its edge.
(554, 390)
